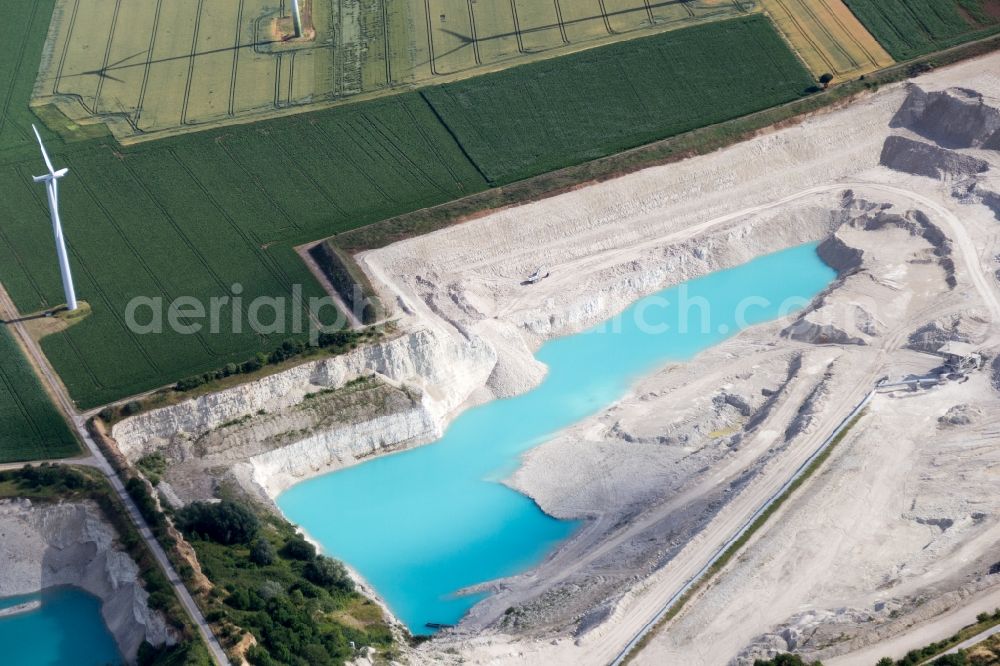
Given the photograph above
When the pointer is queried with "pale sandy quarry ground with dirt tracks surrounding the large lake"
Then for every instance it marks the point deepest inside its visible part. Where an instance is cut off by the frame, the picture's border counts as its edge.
(905, 518)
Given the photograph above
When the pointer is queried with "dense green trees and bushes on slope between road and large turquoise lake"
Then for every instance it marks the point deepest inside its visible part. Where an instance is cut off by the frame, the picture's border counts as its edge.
(301, 607)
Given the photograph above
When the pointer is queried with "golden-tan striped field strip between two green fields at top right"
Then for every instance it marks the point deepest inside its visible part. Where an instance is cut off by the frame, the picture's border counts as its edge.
(828, 37)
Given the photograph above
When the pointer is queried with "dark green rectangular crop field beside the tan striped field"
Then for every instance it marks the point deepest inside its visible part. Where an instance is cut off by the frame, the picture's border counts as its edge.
(546, 115)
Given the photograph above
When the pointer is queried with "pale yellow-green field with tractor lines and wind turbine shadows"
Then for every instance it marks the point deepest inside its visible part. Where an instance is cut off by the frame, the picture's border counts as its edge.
(160, 68)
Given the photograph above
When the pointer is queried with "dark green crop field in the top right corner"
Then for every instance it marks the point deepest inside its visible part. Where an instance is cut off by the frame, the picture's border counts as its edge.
(910, 28)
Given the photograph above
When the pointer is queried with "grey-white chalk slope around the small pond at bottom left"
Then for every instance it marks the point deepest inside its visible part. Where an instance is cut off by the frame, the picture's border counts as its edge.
(72, 544)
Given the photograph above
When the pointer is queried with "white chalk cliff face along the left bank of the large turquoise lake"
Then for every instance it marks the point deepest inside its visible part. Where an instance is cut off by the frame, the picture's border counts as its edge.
(282, 441)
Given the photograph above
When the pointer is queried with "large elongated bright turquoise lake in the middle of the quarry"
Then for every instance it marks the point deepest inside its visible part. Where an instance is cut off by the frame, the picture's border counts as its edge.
(422, 524)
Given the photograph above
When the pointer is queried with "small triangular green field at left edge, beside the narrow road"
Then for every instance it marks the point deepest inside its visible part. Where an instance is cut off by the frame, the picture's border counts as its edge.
(30, 426)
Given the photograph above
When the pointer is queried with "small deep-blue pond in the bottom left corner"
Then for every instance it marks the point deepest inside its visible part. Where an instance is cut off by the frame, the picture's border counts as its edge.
(67, 630)
